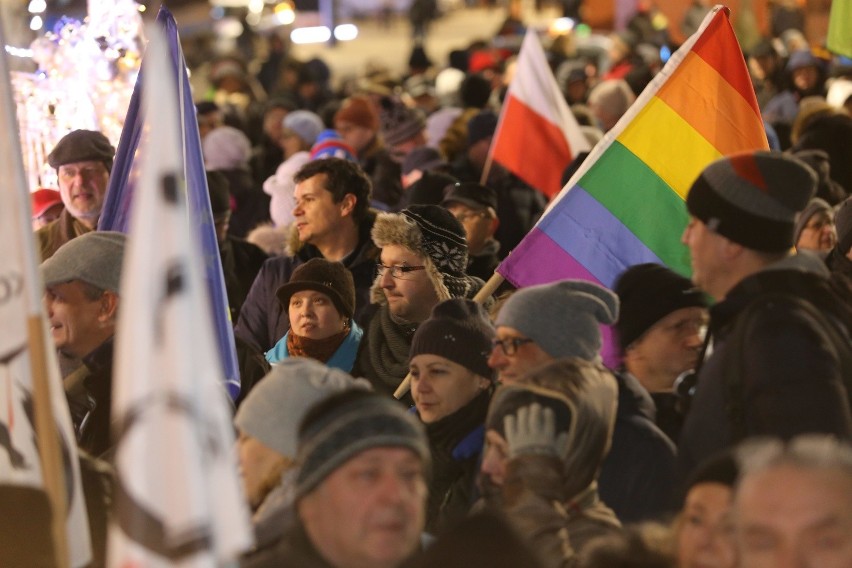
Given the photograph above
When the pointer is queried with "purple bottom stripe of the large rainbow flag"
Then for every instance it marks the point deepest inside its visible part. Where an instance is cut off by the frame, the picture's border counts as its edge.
(538, 259)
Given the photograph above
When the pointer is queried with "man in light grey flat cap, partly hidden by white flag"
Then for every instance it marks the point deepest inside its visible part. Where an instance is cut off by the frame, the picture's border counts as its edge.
(82, 300)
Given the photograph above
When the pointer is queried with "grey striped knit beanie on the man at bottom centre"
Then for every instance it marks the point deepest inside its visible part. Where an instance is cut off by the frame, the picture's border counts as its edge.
(347, 424)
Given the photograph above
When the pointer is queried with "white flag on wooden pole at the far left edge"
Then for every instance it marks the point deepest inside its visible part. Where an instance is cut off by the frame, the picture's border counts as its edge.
(21, 290)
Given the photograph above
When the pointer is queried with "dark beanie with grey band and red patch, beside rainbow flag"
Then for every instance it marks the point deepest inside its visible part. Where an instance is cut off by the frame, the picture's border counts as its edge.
(753, 198)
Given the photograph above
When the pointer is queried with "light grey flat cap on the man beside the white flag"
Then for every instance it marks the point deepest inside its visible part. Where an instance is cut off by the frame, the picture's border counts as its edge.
(94, 258)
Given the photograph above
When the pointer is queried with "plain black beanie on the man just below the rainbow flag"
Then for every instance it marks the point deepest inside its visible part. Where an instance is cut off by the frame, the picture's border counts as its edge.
(648, 293)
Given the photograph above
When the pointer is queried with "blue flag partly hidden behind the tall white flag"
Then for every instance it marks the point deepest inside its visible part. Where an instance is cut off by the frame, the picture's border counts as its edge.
(125, 178)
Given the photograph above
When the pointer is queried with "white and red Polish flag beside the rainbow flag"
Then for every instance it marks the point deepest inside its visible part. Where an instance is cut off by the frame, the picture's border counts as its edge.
(537, 136)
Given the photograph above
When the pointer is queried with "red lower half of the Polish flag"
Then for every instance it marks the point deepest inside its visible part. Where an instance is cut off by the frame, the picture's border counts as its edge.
(531, 147)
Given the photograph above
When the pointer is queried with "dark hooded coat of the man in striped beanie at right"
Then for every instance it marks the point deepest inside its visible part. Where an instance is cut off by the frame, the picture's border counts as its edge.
(789, 368)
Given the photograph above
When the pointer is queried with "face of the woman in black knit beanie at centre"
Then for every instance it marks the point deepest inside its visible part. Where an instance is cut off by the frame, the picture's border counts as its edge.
(440, 386)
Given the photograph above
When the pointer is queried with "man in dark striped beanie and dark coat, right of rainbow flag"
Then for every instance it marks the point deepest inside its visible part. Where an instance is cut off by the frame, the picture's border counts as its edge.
(780, 335)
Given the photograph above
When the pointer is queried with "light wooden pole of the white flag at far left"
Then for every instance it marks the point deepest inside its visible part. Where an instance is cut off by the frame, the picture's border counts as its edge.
(47, 431)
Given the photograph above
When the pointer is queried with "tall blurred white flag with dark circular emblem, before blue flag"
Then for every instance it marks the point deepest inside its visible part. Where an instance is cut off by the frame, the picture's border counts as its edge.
(178, 498)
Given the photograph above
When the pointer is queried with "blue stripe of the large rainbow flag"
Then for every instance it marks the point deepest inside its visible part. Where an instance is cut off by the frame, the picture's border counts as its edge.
(598, 240)
